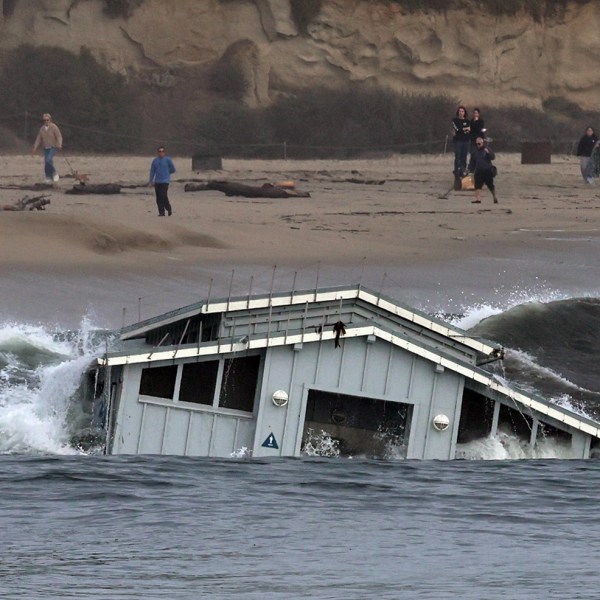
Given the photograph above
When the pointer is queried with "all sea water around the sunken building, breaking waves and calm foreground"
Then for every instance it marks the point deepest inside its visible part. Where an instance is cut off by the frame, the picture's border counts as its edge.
(77, 524)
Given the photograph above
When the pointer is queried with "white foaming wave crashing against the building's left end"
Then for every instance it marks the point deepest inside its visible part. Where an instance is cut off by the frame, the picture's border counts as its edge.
(41, 376)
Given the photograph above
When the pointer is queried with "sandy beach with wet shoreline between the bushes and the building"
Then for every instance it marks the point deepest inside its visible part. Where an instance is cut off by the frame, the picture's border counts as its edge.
(382, 222)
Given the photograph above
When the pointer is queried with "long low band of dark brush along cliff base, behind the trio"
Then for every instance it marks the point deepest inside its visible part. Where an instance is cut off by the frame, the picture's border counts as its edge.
(368, 120)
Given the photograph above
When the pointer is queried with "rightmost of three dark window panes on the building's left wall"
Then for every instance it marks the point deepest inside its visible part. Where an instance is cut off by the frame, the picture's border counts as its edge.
(238, 387)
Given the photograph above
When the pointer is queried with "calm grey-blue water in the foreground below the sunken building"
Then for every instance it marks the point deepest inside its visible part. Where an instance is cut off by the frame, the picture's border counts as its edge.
(156, 527)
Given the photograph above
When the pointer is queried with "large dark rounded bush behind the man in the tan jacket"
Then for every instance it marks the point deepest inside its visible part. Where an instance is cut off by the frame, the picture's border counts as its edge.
(95, 108)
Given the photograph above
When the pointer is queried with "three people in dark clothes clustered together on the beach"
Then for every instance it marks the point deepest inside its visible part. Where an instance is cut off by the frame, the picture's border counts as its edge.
(469, 140)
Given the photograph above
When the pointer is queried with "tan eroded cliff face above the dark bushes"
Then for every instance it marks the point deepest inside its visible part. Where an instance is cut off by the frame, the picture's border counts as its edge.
(469, 55)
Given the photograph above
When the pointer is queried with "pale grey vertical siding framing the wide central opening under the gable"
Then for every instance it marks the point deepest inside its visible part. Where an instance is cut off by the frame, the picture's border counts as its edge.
(373, 369)
